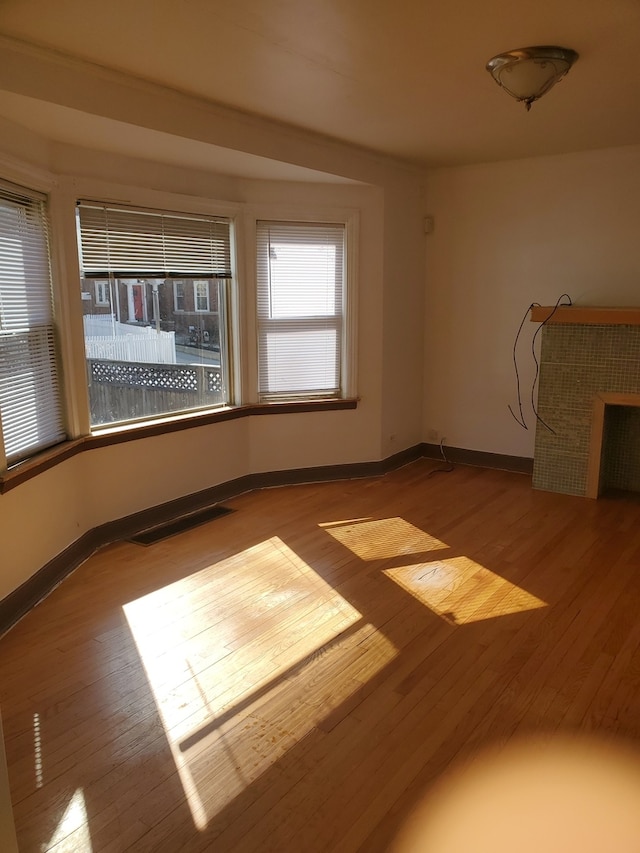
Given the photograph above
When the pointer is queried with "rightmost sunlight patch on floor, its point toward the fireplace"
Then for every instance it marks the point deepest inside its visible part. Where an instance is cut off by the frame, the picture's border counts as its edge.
(463, 591)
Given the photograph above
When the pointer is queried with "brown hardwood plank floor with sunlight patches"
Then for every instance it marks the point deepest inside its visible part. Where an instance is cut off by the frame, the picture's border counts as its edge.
(294, 675)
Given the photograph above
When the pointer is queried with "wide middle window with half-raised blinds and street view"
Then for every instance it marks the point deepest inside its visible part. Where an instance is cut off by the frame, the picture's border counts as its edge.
(156, 341)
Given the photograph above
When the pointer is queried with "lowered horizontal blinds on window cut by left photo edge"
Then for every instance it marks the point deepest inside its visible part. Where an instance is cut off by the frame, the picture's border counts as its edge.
(30, 408)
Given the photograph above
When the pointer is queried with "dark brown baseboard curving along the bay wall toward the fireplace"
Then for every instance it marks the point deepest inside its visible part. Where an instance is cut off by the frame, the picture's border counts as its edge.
(19, 602)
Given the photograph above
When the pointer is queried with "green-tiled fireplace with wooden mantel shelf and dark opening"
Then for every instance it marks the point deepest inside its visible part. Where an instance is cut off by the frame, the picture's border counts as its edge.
(589, 394)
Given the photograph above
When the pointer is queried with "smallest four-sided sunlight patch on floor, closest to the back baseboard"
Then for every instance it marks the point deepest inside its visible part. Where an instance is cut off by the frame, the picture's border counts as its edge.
(383, 538)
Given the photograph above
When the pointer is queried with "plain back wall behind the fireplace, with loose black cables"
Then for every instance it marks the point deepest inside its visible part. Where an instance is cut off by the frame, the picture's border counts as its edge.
(506, 235)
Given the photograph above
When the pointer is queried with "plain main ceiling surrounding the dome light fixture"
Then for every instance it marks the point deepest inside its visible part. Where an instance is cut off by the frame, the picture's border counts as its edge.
(402, 78)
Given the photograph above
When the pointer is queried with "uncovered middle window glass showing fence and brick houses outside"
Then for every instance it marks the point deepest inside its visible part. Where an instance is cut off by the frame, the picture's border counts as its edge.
(145, 358)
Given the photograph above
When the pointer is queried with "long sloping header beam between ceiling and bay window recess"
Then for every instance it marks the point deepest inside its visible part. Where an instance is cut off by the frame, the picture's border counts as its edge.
(37, 72)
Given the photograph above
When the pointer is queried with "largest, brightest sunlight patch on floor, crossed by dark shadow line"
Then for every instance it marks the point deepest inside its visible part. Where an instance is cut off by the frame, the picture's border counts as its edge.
(222, 651)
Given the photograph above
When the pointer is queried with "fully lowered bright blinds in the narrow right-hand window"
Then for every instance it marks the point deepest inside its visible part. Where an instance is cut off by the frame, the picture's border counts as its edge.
(300, 280)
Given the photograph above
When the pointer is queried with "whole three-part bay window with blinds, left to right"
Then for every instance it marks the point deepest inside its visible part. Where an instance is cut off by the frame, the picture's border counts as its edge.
(156, 299)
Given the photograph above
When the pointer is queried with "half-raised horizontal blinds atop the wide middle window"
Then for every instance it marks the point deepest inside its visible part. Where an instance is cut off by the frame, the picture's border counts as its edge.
(130, 243)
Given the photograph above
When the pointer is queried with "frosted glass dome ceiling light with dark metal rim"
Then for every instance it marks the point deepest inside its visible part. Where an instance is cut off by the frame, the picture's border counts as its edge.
(529, 72)
